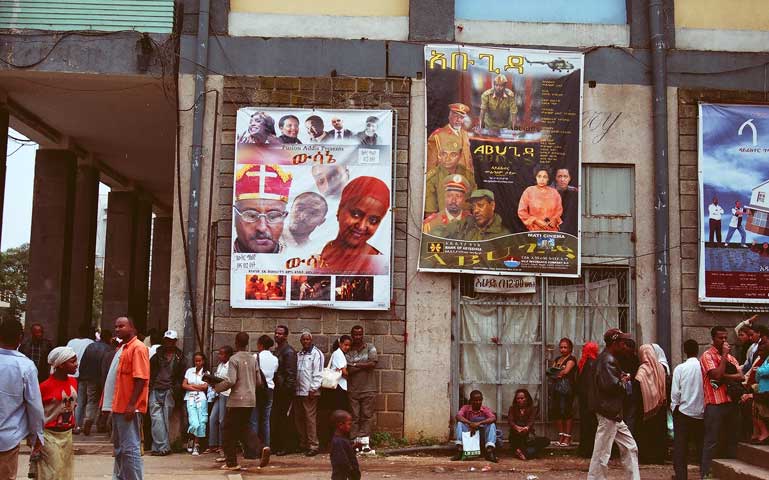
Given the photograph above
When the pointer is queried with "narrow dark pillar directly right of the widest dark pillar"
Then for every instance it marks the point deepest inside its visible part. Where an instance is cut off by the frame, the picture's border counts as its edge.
(83, 248)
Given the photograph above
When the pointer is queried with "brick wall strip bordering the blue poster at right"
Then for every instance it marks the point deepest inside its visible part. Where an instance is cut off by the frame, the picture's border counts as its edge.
(696, 321)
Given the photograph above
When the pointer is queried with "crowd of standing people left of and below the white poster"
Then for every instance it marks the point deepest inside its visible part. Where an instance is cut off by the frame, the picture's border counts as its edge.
(278, 400)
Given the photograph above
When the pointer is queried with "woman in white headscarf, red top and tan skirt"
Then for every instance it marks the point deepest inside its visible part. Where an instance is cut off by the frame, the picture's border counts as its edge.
(59, 394)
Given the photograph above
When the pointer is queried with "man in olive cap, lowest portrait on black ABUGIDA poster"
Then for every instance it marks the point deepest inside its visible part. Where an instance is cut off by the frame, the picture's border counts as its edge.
(483, 224)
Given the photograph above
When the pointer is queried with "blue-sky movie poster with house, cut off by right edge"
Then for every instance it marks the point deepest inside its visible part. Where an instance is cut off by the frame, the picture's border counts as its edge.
(734, 203)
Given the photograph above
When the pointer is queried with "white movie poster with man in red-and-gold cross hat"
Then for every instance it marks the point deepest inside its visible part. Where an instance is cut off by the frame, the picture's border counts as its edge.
(312, 209)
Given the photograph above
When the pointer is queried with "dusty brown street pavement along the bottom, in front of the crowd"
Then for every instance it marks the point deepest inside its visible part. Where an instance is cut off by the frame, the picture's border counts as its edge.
(298, 467)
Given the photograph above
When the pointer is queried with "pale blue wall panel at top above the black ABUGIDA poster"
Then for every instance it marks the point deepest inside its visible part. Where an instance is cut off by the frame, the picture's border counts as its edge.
(557, 11)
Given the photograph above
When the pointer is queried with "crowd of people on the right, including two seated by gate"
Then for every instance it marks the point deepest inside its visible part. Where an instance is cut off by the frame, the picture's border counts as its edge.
(627, 395)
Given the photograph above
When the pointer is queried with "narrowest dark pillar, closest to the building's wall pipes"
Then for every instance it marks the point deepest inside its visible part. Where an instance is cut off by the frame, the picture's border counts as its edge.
(160, 283)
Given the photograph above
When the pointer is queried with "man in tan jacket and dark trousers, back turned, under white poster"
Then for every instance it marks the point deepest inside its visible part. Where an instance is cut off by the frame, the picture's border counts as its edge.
(243, 379)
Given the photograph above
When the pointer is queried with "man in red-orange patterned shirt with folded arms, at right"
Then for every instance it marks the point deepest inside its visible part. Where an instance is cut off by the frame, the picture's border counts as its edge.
(720, 412)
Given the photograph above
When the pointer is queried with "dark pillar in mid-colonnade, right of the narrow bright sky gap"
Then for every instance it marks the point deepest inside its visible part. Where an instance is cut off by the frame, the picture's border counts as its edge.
(126, 259)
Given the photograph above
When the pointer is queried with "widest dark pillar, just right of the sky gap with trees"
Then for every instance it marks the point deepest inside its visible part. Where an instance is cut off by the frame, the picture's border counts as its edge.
(51, 242)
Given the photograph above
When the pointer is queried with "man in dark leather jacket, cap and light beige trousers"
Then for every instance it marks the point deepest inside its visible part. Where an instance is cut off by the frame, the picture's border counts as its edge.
(610, 387)
